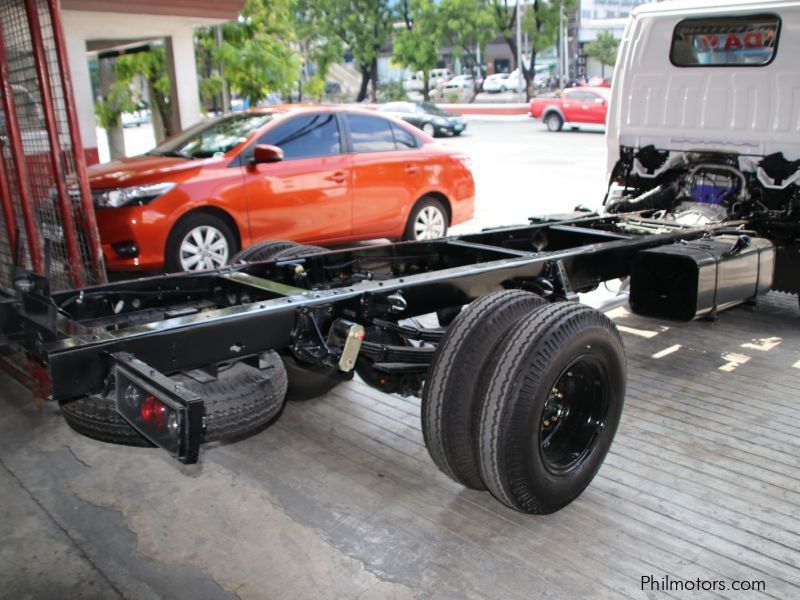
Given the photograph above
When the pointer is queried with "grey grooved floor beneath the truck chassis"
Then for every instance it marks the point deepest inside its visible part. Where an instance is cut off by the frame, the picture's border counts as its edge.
(702, 482)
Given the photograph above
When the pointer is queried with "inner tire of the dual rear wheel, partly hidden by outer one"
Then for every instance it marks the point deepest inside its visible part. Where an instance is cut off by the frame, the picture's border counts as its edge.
(453, 396)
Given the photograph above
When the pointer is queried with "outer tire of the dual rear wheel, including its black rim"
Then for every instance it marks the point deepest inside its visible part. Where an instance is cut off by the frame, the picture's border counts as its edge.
(554, 399)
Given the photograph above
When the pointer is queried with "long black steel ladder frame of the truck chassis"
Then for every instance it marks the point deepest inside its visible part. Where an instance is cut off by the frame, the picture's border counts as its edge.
(79, 358)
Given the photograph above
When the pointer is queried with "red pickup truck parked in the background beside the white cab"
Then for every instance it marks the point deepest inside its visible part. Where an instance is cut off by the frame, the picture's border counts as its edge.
(573, 107)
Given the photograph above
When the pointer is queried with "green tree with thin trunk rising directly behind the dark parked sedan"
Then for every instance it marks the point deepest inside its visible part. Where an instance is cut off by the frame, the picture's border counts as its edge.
(417, 46)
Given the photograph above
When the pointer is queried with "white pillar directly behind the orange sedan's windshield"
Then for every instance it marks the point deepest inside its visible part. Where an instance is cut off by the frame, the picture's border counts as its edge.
(183, 77)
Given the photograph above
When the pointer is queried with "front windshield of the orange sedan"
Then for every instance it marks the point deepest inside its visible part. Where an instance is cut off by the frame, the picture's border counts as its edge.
(212, 138)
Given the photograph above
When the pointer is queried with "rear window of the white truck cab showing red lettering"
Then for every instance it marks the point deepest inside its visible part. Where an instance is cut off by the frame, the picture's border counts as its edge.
(749, 40)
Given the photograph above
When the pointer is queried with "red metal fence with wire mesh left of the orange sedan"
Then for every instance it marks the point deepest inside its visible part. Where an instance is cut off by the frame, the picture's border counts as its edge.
(44, 193)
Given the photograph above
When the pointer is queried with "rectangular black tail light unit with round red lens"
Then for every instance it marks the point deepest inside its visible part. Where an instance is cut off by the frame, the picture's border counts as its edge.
(163, 411)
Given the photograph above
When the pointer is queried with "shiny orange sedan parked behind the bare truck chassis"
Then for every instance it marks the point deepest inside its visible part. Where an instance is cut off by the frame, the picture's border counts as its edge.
(319, 175)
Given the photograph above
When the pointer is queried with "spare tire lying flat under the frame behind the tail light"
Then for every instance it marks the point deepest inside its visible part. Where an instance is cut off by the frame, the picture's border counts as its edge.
(239, 402)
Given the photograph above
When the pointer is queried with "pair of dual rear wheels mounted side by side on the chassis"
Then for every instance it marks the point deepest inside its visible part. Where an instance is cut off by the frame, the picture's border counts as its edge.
(523, 398)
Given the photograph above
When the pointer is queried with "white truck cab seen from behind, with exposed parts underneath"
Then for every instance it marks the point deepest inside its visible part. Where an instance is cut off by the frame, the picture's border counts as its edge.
(704, 122)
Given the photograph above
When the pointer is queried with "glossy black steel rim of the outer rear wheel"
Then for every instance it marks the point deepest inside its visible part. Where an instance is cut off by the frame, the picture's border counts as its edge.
(574, 414)
